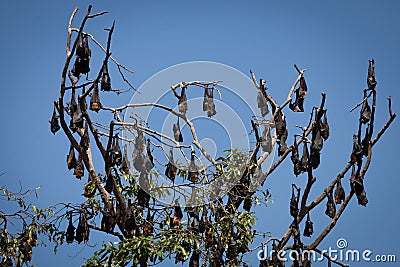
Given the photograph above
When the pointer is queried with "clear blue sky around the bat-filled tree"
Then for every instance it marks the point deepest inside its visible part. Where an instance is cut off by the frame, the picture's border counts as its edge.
(334, 40)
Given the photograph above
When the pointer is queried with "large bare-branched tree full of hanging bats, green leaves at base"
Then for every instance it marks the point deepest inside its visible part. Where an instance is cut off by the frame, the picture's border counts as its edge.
(219, 231)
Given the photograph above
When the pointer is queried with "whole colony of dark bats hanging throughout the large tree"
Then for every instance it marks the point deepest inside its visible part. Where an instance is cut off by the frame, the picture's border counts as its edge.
(143, 162)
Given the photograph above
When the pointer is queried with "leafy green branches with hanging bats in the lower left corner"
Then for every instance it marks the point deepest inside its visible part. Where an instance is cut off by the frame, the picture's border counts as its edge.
(21, 227)
